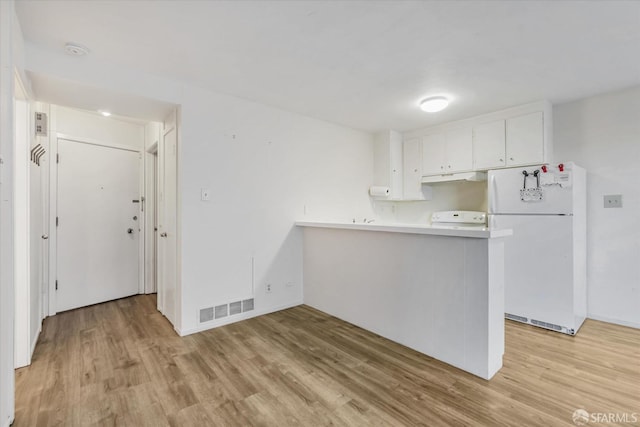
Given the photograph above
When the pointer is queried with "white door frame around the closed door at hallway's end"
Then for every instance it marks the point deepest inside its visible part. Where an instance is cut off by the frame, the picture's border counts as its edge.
(53, 211)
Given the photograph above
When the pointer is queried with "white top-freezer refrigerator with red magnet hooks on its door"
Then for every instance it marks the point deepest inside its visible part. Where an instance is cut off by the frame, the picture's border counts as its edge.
(545, 259)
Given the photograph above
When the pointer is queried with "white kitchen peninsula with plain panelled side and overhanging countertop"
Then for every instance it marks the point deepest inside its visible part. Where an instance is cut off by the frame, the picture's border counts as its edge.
(438, 291)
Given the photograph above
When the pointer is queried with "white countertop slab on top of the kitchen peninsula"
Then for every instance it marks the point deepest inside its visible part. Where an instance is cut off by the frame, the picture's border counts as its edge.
(409, 229)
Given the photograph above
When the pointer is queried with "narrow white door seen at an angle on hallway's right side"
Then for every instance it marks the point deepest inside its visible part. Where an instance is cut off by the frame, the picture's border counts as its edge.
(167, 262)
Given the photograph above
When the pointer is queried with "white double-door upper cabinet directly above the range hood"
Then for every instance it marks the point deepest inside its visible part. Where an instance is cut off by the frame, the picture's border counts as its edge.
(447, 152)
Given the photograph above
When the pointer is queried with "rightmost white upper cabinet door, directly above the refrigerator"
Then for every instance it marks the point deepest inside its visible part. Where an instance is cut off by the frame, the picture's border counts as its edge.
(525, 139)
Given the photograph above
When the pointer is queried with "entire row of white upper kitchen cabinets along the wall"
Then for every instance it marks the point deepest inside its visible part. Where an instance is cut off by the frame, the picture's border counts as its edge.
(512, 137)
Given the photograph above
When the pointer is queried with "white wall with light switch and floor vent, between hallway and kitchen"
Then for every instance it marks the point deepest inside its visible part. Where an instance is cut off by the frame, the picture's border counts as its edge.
(279, 167)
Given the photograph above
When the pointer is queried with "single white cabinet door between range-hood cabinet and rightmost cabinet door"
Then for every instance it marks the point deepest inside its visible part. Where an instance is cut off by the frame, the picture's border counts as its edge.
(489, 145)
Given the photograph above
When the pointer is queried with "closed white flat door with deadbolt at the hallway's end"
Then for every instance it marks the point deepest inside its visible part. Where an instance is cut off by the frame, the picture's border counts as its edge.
(98, 229)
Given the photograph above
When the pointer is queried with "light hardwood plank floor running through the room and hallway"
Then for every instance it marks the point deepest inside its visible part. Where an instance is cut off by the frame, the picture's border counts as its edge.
(121, 363)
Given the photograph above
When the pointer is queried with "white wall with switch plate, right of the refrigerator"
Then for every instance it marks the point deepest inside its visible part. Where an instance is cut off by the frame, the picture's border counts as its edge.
(602, 134)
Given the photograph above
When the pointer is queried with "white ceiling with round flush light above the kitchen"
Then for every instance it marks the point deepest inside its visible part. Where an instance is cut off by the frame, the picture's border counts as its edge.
(364, 64)
